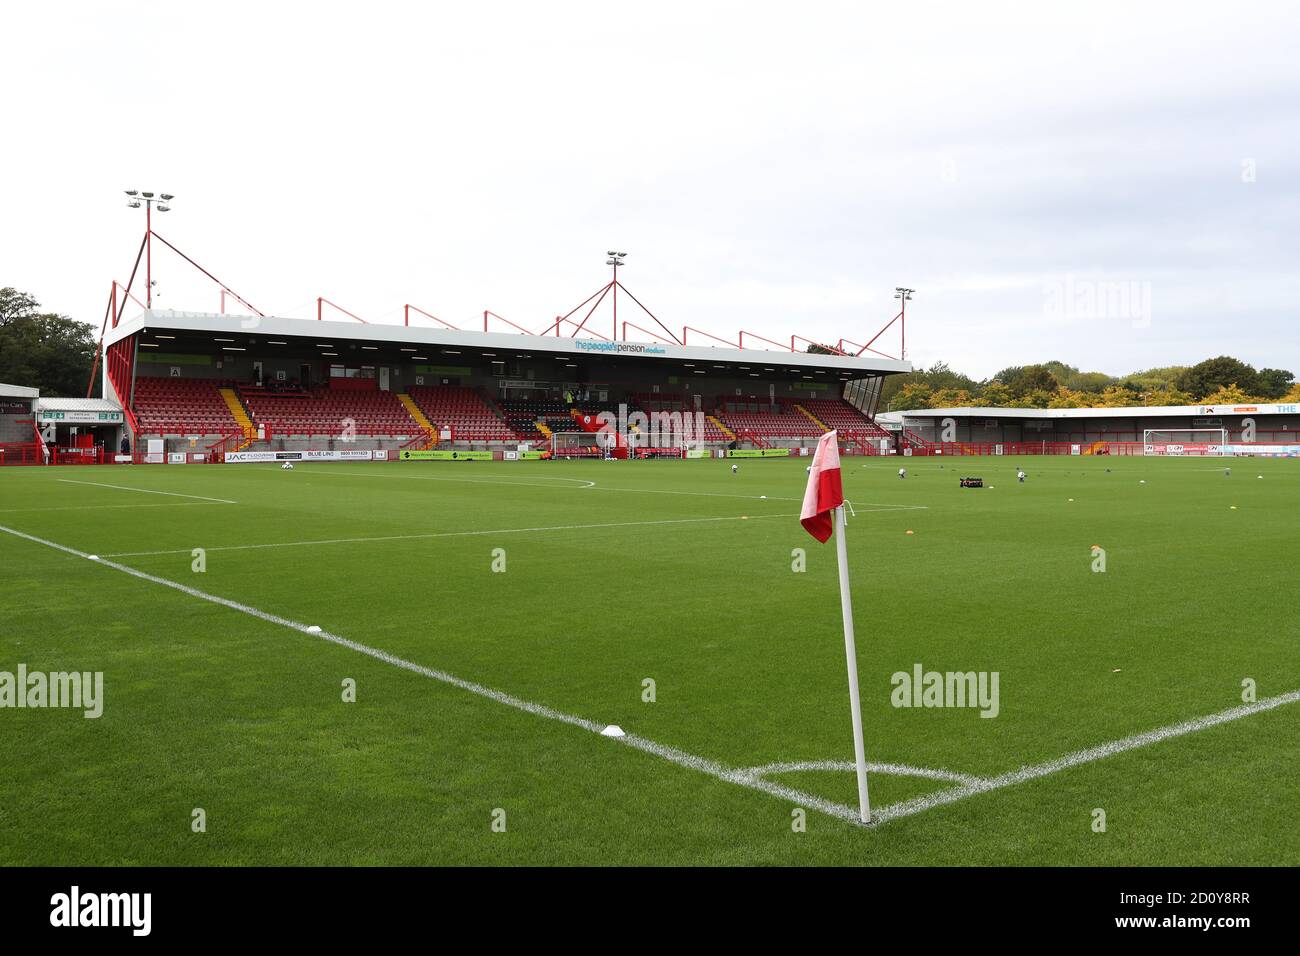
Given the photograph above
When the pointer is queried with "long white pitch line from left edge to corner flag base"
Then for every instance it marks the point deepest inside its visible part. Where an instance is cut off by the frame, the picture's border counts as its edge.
(662, 751)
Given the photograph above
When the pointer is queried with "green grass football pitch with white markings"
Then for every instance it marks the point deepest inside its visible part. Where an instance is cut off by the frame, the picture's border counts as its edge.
(675, 572)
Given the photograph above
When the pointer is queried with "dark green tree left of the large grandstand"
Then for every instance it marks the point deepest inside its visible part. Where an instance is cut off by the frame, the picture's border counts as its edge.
(44, 351)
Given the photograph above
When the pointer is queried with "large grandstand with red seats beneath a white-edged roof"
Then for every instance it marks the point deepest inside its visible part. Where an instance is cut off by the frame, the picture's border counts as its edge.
(224, 388)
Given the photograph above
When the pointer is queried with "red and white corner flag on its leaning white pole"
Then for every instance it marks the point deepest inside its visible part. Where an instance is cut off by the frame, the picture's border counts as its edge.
(824, 499)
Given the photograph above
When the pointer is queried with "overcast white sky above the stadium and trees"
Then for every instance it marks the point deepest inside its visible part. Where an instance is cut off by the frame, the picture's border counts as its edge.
(772, 167)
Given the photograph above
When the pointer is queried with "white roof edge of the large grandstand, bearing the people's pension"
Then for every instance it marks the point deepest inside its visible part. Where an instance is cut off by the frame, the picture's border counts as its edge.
(426, 336)
